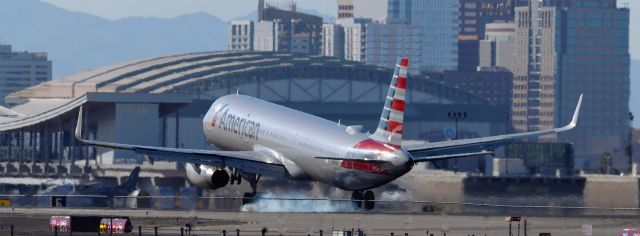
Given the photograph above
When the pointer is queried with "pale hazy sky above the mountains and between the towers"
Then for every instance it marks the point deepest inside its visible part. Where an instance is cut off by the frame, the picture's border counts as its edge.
(230, 9)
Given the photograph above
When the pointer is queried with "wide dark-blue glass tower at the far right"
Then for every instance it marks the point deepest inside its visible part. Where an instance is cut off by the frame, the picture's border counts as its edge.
(594, 60)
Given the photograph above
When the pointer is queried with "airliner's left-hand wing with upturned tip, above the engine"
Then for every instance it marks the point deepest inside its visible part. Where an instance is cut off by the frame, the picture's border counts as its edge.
(248, 161)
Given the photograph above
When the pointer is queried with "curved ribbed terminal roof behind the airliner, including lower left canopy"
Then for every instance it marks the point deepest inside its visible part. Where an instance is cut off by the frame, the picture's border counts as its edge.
(181, 74)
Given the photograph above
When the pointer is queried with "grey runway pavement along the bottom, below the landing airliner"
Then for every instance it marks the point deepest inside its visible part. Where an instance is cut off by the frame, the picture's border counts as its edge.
(34, 221)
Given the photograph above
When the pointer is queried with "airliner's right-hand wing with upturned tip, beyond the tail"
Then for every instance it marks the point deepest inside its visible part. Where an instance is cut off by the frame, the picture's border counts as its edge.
(478, 146)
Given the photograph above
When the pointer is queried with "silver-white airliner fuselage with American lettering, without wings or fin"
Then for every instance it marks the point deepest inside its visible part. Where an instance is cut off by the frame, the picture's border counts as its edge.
(300, 141)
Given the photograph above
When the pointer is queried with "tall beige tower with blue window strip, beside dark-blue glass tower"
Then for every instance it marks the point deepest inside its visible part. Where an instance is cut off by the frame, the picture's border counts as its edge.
(535, 69)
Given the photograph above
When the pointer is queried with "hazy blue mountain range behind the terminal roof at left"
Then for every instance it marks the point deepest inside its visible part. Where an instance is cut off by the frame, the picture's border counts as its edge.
(78, 41)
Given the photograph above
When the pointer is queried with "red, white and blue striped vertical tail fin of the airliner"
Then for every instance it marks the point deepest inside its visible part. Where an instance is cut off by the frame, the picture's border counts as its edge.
(390, 127)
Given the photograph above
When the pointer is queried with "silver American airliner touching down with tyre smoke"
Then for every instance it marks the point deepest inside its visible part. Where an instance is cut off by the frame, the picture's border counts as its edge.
(259, 138)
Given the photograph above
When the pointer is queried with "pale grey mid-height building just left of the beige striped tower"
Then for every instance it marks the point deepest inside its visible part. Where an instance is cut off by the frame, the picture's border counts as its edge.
(497, 49)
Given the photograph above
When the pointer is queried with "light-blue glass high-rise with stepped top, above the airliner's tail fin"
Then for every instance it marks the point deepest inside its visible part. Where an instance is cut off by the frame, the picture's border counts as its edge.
(437, 21)
